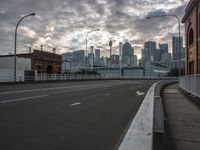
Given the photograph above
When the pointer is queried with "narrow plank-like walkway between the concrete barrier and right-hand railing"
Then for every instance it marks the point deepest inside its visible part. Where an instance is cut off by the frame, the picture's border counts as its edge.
(183, 118)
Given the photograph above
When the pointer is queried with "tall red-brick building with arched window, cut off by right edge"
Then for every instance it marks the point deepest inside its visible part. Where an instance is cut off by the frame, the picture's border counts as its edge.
(192, 34)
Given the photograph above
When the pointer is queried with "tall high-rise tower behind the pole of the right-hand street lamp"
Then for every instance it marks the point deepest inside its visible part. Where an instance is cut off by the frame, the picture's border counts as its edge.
(175, 47)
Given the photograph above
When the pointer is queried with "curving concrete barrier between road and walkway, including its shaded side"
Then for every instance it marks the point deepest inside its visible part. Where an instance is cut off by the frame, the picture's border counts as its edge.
(140, 133)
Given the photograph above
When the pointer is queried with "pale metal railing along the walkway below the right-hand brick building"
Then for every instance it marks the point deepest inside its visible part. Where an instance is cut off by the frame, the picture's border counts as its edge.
(190, 84)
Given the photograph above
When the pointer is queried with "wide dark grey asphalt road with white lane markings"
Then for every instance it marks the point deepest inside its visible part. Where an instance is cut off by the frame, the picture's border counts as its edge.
(87, 115)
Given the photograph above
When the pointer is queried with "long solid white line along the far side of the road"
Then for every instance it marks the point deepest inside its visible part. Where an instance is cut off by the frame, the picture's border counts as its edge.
(60, 87)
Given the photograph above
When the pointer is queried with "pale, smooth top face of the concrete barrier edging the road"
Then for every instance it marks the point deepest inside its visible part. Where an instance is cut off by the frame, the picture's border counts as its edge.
(140, 134)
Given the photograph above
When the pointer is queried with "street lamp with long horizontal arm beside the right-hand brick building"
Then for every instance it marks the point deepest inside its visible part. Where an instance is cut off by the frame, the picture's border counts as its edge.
(179, 28)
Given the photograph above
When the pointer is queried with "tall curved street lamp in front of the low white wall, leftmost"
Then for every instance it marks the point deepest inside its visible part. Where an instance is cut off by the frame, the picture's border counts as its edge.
(15, 47)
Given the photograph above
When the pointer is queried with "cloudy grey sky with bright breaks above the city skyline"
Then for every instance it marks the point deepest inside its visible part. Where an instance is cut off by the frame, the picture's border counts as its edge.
(63, 24)
